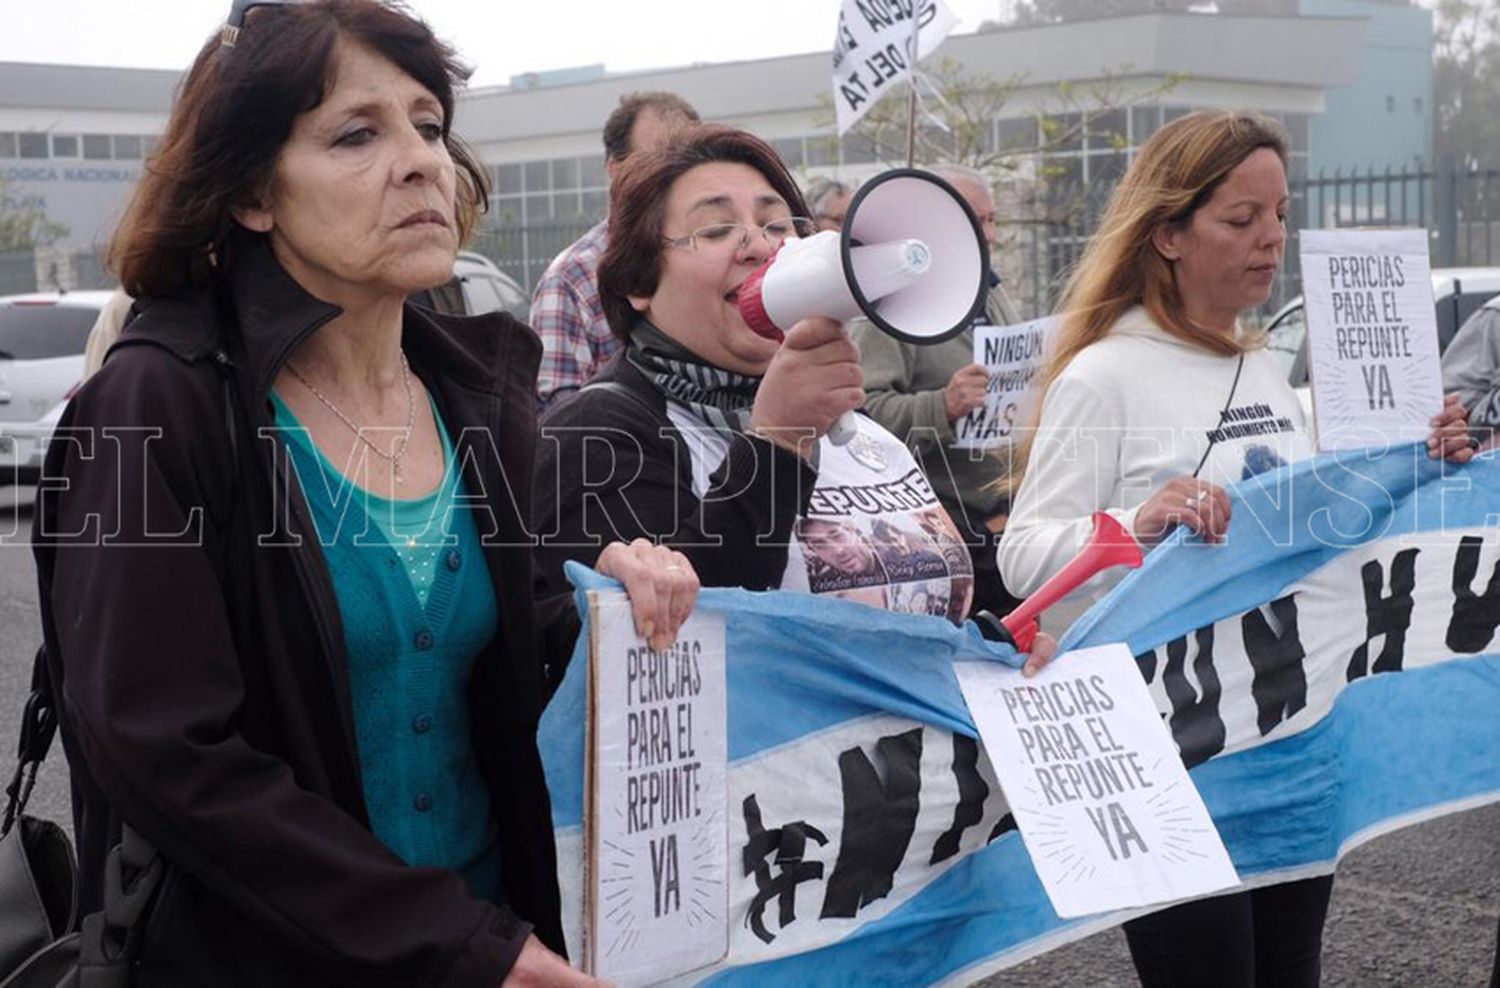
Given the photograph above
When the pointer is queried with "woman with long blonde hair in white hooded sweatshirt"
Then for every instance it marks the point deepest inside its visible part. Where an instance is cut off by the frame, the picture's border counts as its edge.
(1154, 398)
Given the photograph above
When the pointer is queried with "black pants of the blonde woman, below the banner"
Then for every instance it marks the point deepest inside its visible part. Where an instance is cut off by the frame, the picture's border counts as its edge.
(1268, 938)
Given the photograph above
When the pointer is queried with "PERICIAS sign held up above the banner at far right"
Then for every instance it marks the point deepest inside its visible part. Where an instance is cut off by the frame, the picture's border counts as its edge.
(1372, 337)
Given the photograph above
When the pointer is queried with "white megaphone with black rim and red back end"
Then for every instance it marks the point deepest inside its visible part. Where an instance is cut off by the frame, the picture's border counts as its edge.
(911, 259)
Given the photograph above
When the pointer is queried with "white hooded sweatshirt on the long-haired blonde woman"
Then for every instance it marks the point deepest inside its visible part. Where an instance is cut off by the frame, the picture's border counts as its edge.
(1129, 415)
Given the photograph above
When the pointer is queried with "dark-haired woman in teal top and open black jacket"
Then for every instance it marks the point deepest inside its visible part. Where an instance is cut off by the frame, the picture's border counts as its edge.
(289, 615)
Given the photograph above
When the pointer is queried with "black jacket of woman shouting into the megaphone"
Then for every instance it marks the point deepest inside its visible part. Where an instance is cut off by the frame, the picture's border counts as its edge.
(613, 466)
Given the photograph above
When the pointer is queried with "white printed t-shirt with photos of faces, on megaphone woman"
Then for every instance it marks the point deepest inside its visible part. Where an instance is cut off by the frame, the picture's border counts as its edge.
(874, 531)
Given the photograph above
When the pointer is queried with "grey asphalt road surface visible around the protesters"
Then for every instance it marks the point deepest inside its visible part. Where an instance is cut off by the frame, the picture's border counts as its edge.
(1415, 909)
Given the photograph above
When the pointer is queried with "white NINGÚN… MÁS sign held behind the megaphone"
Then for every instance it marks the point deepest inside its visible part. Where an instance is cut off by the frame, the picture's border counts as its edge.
(1015, 356)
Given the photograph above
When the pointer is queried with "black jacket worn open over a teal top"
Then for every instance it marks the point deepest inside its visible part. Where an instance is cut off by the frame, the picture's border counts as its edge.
(197, 653)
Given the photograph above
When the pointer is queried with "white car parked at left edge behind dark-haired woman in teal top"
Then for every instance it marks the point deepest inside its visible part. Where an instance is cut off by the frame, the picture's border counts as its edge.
(41, 362)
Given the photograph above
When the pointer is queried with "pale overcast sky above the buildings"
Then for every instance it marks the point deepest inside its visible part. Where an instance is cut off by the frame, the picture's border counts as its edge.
(500, 38)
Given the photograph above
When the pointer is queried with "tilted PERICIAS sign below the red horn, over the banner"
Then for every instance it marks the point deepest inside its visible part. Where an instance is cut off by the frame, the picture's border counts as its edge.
(1105, 804)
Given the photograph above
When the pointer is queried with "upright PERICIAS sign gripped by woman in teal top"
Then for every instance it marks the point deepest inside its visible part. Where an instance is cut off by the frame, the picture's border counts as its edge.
(656, 834)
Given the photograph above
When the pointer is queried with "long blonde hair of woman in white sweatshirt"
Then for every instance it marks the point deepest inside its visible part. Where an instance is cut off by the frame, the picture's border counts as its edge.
(1174, 175)
